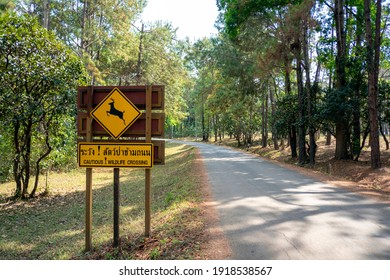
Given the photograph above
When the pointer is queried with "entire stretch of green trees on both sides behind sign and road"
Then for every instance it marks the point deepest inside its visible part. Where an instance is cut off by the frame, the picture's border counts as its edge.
(282, 71)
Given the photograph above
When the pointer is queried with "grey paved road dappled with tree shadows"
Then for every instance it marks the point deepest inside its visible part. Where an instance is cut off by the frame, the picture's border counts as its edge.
(268, 212)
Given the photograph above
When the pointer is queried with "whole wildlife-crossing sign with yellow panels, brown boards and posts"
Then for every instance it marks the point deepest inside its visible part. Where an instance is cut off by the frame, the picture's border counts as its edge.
(110, 124)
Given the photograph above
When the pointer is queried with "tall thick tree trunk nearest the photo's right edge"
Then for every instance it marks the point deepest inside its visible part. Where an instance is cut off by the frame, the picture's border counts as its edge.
(373, 53)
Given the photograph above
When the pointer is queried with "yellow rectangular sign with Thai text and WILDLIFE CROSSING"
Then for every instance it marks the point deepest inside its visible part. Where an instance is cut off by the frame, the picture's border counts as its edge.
(115, 155)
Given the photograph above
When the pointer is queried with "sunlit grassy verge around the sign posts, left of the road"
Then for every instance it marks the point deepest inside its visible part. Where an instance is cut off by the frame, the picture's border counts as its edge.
(52, 226)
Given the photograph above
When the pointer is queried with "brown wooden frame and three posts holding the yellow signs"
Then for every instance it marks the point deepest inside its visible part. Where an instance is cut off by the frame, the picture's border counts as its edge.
(145, 98)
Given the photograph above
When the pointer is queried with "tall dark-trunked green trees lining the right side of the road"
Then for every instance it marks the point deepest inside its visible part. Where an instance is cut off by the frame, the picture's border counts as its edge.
(289, 70)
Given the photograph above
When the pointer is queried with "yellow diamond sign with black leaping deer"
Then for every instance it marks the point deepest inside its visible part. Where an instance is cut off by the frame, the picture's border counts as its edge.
(116, 113)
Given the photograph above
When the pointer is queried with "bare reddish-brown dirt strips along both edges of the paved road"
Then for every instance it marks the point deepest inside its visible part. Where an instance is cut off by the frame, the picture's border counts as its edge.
(356, 176)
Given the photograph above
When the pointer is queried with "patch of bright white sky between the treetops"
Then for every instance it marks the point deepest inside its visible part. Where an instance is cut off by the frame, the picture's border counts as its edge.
(194, 19)
